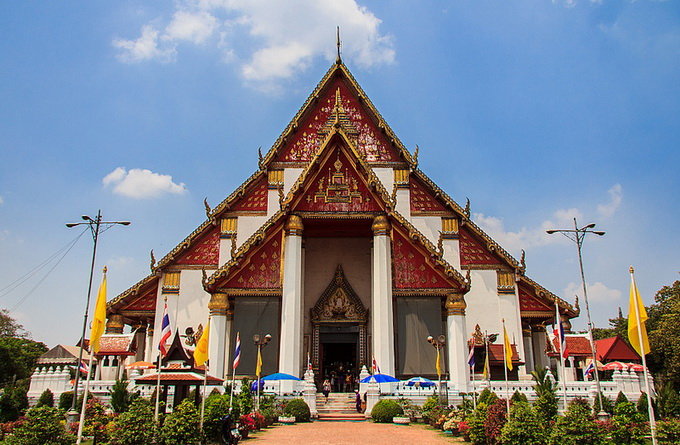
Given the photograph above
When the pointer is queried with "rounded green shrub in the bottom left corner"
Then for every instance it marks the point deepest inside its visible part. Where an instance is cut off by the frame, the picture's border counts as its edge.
(43, 425)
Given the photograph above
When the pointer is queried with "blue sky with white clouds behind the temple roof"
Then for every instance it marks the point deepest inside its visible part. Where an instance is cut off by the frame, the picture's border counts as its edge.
(536, 110)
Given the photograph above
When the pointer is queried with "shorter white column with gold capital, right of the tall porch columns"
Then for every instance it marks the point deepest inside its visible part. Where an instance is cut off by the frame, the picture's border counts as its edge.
(456, 342)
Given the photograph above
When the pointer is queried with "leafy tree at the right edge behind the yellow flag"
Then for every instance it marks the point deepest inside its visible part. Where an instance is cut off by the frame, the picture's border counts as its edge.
(664, 336)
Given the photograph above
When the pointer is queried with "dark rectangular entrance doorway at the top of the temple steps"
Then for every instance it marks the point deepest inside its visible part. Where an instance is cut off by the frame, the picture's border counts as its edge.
(339, 350)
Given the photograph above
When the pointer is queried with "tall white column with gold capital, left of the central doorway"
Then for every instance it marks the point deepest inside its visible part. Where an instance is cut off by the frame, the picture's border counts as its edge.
(290, 344)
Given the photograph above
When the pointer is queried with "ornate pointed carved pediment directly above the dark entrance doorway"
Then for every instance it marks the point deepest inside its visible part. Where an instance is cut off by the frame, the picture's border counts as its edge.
(339, 302)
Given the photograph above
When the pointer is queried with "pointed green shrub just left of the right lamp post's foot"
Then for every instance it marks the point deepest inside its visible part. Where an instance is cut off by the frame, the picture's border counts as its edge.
(577, 427)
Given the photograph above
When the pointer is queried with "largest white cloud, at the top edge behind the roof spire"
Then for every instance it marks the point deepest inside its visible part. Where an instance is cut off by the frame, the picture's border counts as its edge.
(269, 41)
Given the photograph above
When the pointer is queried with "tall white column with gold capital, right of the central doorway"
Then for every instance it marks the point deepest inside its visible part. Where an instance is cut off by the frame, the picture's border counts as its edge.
(382, 322)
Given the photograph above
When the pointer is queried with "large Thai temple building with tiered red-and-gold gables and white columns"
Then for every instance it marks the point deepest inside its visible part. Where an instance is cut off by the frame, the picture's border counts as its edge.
(343, 250)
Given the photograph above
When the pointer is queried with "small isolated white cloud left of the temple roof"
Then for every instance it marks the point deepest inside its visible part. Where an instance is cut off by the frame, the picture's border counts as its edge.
(141, 183)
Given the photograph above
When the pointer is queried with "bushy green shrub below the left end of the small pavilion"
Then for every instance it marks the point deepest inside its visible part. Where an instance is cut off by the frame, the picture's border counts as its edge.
(135, 426)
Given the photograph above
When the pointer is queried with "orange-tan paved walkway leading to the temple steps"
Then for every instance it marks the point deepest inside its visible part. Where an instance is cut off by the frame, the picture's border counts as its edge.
(349, 433)
